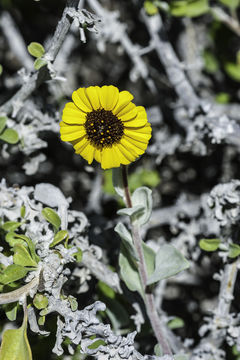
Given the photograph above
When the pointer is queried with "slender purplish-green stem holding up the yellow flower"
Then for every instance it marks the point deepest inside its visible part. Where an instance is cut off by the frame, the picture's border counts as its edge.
(148, 298)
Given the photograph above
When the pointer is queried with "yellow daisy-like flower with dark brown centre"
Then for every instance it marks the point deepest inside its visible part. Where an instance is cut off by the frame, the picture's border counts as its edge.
(103, 124)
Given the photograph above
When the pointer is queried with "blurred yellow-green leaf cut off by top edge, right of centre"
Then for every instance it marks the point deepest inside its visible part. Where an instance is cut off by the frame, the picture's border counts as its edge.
(189, 8)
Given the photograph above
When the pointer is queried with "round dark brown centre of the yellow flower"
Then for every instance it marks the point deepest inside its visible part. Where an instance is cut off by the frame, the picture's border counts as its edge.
(103, 128)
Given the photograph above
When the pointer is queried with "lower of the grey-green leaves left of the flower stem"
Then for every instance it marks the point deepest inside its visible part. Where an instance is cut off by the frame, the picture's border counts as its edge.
(129, 271)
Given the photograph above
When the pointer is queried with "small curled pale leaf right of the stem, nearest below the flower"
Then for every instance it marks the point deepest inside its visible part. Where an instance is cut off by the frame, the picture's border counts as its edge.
(142, 197)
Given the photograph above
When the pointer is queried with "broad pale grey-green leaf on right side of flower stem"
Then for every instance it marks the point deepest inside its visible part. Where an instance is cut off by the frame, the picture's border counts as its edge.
(168, 262)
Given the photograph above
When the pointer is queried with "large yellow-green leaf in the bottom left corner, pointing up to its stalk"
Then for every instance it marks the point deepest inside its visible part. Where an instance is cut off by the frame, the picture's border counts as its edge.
(15, 345)
